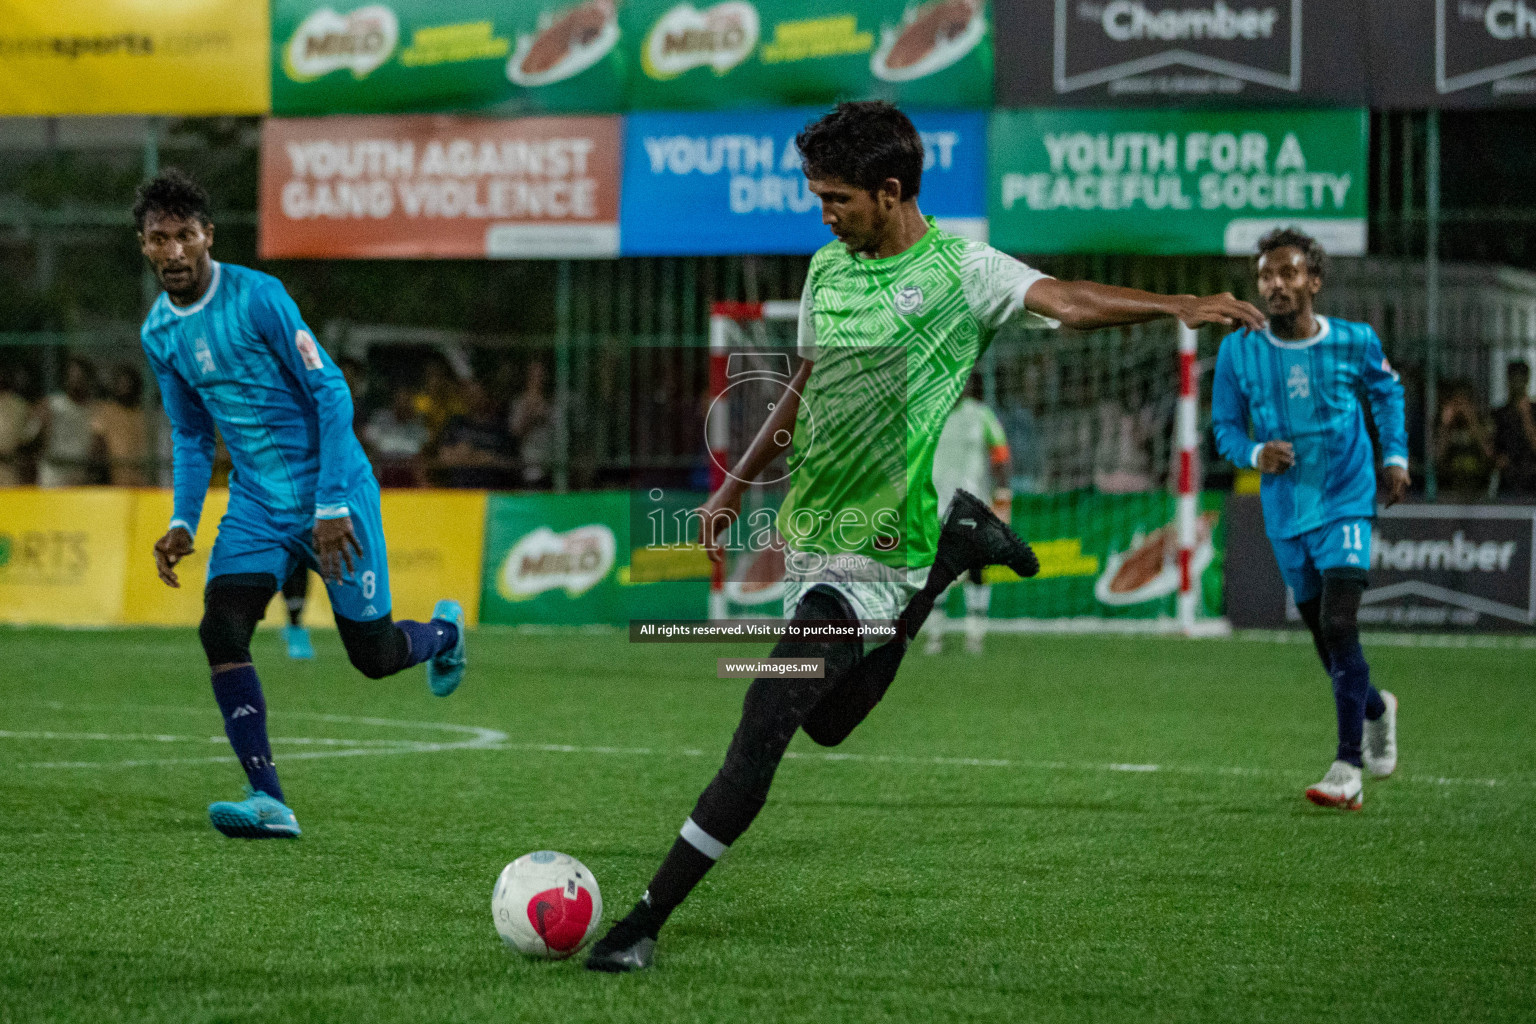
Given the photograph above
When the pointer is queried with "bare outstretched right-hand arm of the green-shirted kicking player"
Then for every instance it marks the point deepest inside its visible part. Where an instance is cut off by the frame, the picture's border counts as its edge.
(1088, 306)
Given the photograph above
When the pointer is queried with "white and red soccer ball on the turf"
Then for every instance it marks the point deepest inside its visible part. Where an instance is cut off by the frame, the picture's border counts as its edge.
(546, 905)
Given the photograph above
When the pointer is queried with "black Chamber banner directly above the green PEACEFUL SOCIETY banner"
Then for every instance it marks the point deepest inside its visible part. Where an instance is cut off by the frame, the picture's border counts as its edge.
(1185, 53)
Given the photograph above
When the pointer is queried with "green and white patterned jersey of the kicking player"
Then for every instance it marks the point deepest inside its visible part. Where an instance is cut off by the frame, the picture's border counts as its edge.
(893, 342)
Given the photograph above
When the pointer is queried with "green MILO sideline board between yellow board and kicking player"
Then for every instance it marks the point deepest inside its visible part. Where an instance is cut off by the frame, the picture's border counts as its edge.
(564, 560)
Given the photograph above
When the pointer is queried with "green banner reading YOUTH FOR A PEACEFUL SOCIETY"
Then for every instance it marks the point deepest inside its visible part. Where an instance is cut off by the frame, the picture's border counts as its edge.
(1176, 182)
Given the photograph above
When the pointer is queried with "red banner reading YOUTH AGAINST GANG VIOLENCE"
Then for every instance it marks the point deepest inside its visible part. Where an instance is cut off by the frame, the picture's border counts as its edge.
(440, 187)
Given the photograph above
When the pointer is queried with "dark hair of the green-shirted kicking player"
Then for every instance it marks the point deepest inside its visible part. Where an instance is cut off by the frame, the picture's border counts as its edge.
(864, 144)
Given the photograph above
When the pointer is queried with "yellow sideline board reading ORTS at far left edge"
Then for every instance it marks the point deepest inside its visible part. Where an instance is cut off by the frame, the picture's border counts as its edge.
(62, 555)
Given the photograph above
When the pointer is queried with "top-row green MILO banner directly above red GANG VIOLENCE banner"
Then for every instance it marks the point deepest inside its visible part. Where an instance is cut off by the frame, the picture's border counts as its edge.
(414, 56)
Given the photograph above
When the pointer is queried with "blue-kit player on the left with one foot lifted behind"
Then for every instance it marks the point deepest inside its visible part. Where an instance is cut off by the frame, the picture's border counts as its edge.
(233, 352)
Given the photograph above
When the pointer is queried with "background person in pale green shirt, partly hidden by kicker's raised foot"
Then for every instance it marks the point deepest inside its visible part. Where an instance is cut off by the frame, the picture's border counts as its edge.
(973, 455)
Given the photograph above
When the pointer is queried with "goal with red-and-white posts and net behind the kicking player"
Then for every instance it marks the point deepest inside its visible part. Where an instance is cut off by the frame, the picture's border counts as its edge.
(1105, 469)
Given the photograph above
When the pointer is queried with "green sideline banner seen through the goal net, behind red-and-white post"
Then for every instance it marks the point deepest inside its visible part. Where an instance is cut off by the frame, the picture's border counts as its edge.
(1107, 557)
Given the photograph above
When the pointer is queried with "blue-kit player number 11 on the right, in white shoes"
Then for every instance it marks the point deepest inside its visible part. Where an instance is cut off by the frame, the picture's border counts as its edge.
(1299, 385)
